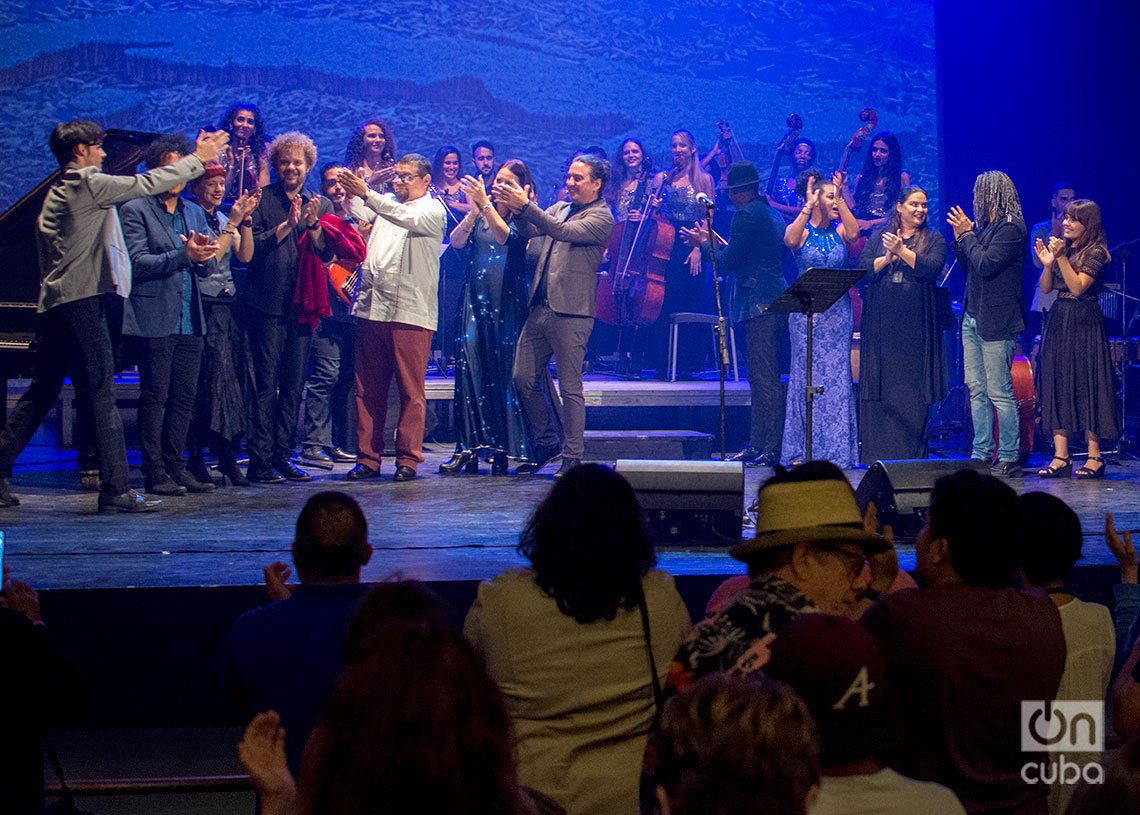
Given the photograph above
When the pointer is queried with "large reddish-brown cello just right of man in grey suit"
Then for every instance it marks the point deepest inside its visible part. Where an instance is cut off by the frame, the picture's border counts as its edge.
(632, 292)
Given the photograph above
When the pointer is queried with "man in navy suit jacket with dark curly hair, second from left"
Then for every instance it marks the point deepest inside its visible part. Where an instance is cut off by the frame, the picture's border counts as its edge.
(170, 248)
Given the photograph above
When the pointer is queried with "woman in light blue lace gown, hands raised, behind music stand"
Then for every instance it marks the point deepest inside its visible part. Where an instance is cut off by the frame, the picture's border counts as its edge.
(819, 238)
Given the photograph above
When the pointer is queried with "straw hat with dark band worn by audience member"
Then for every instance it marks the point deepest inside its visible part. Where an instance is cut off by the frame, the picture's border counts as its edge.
(804, 511)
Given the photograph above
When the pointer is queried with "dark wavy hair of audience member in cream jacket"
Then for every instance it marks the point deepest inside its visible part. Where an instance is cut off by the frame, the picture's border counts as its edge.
(590, 544)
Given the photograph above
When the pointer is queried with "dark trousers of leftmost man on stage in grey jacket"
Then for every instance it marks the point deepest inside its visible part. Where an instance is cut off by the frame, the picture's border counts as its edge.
(72, 339)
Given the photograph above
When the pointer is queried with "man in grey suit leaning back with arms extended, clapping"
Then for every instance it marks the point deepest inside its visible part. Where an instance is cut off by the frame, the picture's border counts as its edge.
(567, 252)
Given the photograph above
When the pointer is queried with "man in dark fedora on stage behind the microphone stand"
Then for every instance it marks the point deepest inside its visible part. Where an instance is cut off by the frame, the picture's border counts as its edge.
(755, 258)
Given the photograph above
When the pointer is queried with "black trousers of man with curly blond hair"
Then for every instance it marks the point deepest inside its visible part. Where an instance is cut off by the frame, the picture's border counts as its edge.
(280, 351)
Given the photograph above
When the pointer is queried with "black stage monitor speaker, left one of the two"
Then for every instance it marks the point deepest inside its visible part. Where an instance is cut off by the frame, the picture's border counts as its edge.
(690, 503)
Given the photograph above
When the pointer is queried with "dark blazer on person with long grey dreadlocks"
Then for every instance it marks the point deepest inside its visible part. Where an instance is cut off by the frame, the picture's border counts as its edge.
(994, 260)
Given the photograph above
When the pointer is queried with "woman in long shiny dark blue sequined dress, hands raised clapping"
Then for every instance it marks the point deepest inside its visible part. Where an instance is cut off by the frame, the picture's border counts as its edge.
(488, 413)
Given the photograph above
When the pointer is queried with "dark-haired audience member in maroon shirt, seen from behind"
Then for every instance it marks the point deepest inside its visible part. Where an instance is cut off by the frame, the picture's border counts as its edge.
(966, 650)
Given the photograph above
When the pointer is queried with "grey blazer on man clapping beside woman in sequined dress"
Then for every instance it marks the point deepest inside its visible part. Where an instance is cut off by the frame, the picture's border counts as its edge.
(574, 246)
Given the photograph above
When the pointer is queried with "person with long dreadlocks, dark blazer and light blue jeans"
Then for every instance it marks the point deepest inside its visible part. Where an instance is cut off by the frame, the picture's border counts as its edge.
(992, 254)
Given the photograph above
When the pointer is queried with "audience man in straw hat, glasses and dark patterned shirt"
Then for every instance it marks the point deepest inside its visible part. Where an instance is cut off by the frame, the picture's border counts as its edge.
(808, 557)
